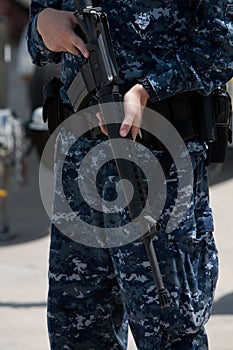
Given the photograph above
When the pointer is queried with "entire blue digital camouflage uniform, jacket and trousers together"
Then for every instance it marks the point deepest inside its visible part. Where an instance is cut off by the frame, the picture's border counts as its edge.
(95, 293)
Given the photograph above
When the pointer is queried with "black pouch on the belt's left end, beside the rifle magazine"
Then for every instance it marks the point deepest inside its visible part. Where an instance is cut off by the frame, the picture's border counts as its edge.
(52, 104)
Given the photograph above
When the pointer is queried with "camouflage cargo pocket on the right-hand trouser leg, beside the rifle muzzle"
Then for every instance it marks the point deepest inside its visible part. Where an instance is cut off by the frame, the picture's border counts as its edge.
(192, 272)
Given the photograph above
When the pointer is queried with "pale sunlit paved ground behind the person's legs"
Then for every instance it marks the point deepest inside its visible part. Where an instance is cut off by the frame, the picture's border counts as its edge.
(23, 263)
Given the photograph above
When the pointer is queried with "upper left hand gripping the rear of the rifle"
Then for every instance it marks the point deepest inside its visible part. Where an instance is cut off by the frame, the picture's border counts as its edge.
(57, 31)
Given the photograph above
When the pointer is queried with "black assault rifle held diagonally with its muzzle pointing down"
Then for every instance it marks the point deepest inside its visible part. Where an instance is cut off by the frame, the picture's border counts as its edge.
(99, 75)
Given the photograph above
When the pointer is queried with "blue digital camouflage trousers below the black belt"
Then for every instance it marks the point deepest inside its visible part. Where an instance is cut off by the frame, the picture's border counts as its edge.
(95, 293)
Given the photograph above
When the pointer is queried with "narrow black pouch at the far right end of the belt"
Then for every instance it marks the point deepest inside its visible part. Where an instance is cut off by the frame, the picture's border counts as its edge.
(217, 149)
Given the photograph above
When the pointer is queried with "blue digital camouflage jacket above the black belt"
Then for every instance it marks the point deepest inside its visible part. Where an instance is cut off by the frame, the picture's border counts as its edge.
(177, 45)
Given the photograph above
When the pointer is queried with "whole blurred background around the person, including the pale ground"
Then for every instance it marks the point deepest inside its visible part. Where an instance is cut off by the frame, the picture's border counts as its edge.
(24, 225)
